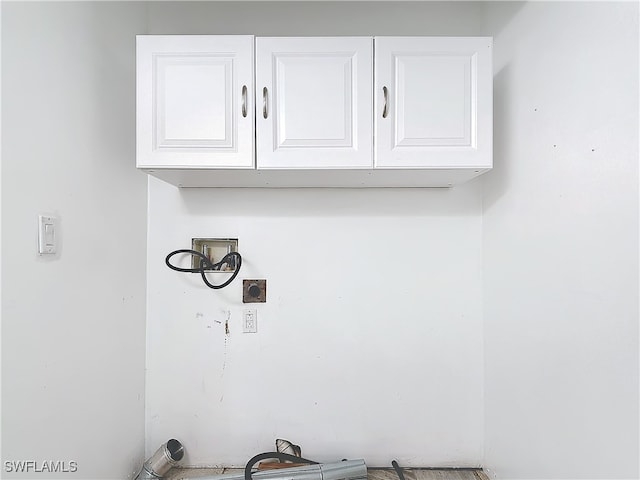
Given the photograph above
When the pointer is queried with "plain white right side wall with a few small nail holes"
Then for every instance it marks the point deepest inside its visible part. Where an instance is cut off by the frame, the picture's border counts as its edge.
(561, 243)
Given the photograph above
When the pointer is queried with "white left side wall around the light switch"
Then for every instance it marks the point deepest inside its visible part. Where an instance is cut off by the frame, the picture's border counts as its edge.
(72, 325)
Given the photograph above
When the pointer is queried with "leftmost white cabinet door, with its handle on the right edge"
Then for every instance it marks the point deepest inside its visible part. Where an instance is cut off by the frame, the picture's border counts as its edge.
(195, 101)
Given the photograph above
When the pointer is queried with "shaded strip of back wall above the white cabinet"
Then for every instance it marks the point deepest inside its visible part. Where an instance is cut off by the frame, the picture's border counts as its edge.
(308, 18)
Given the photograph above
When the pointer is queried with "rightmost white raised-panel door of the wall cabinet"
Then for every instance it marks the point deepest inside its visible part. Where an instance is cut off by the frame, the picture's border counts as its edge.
(433, 102)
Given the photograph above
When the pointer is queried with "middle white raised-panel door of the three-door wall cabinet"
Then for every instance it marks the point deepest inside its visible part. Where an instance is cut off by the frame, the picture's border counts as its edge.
(314, 102)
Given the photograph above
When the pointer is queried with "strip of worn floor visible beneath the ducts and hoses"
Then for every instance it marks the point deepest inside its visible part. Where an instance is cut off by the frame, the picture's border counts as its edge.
(372, 473)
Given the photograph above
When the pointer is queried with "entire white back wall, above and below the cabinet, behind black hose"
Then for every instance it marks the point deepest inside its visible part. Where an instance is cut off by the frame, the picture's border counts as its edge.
(369, 345)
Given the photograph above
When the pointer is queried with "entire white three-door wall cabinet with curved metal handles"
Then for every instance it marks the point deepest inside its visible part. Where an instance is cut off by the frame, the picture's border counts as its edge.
(317, 115)
